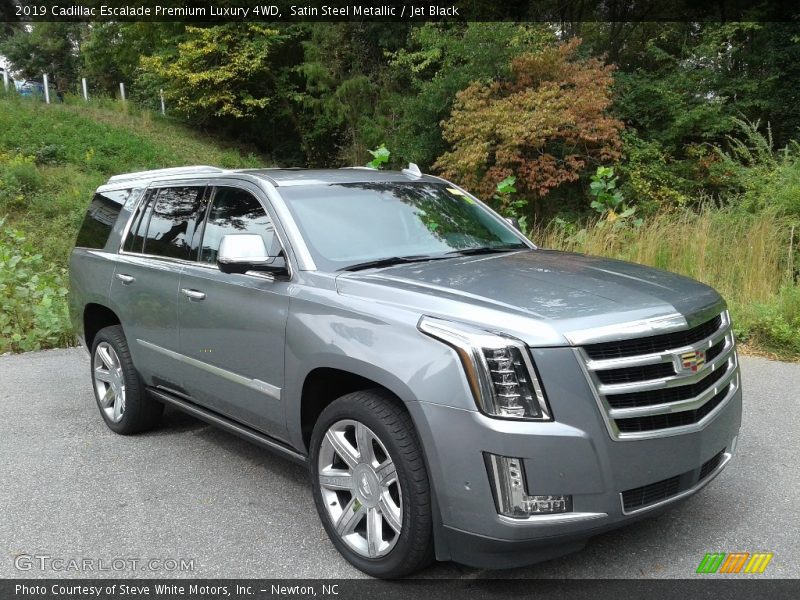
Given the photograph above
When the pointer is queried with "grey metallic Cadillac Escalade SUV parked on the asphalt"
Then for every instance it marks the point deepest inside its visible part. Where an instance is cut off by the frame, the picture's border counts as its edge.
(456, 392)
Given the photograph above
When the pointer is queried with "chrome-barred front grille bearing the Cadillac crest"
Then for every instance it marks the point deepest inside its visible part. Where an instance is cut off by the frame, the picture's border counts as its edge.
(649, 386)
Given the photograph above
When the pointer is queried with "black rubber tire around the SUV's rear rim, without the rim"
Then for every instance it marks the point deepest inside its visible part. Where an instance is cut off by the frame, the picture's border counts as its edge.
(141, 412)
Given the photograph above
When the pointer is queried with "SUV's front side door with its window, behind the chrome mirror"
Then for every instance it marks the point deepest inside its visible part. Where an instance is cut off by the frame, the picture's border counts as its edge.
(232, 326)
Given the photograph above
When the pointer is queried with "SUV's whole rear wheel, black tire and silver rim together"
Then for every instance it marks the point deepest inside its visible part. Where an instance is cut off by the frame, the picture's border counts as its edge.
(123, 402)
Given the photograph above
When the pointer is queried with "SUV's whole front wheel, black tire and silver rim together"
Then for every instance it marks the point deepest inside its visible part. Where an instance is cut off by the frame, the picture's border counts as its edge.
(371, 485)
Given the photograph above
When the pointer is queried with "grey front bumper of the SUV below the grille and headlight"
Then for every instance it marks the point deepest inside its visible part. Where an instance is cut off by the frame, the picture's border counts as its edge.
(574, 455)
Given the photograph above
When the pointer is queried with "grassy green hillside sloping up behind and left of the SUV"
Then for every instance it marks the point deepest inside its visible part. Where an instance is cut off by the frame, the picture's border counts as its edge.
(51, 160)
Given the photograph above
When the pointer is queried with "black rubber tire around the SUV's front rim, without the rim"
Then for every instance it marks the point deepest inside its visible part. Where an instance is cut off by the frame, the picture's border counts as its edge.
(388, 419)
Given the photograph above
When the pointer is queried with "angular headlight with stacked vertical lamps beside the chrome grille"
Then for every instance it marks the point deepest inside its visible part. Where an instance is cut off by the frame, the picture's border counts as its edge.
(499, 369)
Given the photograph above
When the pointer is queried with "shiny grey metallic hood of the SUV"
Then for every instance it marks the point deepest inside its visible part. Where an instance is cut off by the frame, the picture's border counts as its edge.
(538, 295)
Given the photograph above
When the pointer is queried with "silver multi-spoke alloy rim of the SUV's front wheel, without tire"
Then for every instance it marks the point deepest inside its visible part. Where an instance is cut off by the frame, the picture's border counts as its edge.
(360, 489)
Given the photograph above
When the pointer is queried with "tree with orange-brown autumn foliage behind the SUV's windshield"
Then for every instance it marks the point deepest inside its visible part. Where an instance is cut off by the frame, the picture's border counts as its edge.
(547, 123)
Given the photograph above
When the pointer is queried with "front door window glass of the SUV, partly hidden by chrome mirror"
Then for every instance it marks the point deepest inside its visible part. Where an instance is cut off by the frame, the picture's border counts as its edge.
(234, 211)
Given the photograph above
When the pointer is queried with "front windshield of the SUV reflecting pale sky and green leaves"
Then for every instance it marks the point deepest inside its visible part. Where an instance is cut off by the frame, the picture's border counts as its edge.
(345, 224)
